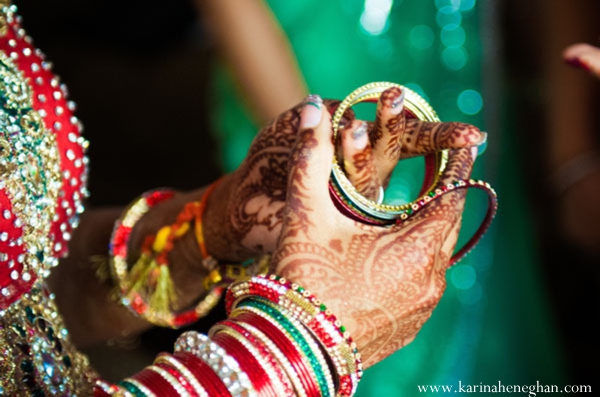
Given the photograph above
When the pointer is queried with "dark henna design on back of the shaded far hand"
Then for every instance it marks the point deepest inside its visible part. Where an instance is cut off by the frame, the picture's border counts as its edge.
(250, 223)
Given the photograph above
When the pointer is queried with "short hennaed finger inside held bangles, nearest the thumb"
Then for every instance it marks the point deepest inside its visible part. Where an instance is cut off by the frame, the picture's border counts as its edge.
(358, 160)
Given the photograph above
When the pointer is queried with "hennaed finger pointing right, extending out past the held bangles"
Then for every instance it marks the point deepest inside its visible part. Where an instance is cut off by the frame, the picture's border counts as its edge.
(423, 137)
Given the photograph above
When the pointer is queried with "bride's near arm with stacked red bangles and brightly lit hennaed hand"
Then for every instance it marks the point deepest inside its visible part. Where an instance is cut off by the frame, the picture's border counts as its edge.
(382, 283)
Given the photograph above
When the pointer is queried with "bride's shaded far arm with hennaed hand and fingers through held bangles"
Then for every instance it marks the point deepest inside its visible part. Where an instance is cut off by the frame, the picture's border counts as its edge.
(244, 217)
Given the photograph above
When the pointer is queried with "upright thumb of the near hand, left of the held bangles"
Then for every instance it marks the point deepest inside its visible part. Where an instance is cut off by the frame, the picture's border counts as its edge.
(310, 166)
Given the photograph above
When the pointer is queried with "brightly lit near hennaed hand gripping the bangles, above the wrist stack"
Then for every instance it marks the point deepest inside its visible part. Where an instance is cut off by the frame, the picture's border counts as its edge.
(382, 282)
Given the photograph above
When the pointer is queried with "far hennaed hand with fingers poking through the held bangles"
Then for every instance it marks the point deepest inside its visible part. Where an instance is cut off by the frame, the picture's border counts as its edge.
(247, 209)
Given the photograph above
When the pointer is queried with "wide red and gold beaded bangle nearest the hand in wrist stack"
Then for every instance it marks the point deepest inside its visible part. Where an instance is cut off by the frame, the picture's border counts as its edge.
(312, 314)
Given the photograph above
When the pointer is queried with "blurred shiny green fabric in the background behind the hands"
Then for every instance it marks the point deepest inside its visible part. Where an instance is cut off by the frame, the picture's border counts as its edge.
(493, 323)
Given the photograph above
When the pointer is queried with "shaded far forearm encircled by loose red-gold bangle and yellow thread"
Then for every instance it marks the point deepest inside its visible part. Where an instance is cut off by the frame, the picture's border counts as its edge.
(87, 302)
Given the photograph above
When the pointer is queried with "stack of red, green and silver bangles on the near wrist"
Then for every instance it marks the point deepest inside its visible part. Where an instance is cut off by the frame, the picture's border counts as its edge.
(278, 341)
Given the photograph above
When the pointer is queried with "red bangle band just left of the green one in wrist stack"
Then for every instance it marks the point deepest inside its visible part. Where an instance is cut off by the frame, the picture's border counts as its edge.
(286, 346)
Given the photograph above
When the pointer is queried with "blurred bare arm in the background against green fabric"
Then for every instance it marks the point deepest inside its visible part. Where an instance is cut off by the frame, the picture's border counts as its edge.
(258, 54)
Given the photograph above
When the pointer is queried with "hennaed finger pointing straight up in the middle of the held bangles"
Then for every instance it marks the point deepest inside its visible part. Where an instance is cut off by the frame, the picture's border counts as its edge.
(386, 134)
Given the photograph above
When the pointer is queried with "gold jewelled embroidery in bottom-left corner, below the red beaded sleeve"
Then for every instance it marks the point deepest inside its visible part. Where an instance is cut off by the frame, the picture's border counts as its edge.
(35, 354)
